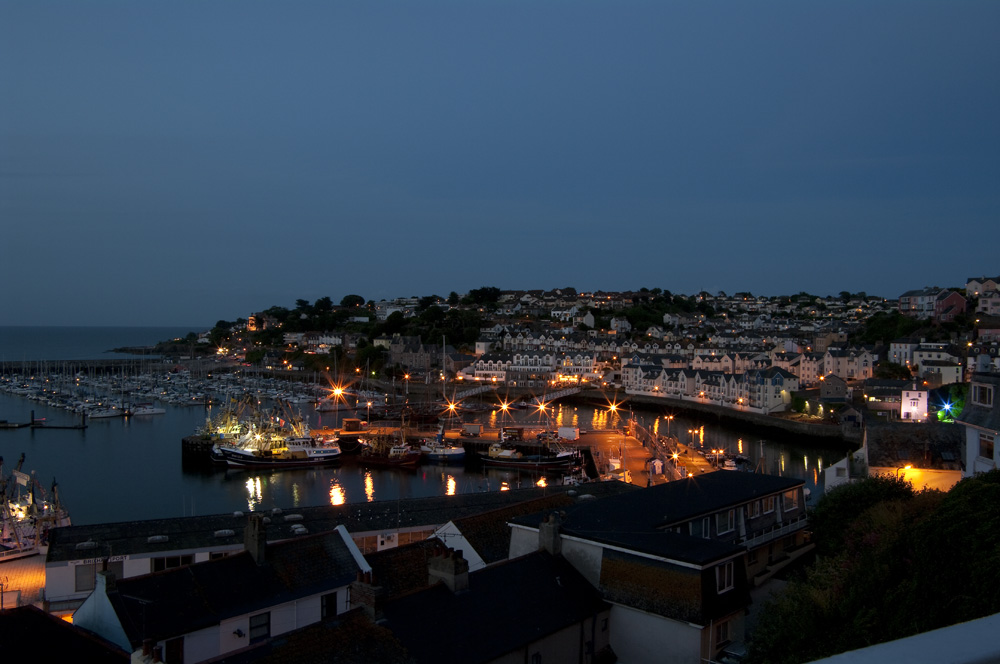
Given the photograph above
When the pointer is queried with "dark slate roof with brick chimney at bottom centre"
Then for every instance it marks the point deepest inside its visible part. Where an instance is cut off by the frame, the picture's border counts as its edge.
(507, 607)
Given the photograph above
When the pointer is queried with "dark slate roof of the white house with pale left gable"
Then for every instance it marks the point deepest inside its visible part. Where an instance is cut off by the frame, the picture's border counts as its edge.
(185, 599)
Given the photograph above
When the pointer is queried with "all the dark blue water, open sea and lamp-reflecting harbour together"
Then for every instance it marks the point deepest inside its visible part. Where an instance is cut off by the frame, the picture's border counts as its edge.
(120, 470)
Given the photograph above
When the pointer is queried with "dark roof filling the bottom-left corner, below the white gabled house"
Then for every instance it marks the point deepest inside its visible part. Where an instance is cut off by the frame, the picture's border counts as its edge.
(34, 635)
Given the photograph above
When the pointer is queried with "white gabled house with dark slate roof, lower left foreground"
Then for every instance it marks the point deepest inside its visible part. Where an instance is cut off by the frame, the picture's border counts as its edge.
(199, 612)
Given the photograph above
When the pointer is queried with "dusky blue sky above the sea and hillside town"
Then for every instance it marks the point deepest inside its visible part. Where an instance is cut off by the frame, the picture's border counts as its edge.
(177, 163)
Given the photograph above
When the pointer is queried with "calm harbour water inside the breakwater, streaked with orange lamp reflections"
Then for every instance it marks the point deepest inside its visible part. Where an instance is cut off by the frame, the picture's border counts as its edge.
(140, 453)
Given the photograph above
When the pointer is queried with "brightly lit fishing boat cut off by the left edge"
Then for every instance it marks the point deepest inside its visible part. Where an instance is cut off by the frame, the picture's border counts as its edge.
(27, 514)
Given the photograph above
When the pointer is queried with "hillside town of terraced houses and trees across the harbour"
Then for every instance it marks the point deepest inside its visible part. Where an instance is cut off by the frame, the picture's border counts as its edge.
(752, 354)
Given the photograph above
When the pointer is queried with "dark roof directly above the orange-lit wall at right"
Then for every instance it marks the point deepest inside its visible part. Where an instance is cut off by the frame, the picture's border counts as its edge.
(934, 446)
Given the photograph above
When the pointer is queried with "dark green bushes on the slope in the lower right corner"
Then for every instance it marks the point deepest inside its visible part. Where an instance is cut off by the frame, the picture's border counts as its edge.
(896, 563)
